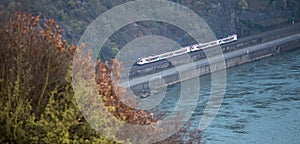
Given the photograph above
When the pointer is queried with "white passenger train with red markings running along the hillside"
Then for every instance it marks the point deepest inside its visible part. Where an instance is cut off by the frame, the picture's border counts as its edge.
(184, 50)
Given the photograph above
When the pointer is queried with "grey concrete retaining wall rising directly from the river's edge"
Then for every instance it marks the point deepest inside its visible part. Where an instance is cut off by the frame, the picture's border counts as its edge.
(142, 89)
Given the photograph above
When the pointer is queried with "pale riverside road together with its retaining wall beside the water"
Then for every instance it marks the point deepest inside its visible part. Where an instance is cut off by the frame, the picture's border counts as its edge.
(140, 85)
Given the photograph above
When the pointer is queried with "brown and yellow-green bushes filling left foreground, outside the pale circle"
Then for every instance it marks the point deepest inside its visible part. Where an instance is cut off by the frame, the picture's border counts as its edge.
(36, 95)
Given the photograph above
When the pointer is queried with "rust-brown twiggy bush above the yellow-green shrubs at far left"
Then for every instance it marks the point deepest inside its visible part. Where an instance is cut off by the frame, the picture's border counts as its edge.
(34, 47)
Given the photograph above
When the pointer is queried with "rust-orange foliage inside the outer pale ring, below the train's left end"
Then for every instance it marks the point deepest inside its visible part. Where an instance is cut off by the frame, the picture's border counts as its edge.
(107, 89)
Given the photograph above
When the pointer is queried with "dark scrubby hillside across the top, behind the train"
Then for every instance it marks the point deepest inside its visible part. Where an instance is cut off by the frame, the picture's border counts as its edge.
(244, 17)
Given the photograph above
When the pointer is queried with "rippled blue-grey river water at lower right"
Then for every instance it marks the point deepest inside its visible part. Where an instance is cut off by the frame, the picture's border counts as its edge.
(261, 104)
